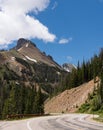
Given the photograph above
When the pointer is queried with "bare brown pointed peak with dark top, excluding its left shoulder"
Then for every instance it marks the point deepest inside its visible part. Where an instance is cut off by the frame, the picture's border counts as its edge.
(29, 51)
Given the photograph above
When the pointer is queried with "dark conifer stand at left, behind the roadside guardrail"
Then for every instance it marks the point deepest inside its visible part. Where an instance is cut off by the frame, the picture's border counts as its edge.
(17, 99)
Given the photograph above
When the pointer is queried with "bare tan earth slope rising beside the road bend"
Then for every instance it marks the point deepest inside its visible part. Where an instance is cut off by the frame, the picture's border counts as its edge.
(70, 100)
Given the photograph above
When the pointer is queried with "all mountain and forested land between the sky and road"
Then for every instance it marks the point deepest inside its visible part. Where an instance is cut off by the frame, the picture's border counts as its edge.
(32, 82)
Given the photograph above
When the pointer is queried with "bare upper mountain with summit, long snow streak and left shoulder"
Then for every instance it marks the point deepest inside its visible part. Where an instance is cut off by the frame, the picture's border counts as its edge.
(28, 51)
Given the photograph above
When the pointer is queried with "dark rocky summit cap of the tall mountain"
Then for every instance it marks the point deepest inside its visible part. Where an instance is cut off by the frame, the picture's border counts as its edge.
(21, 42)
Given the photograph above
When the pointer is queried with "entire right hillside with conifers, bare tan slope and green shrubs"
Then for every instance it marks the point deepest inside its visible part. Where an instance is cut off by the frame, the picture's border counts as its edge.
(82, 89)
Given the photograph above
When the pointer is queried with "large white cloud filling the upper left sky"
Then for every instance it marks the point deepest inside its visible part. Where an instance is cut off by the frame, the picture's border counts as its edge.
(15, 21)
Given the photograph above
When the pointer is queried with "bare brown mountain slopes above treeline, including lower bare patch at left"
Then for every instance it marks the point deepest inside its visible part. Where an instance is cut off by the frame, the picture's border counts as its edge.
(27, 52)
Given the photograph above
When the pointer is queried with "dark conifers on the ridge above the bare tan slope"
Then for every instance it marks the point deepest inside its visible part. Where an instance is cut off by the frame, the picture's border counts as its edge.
(85, 72)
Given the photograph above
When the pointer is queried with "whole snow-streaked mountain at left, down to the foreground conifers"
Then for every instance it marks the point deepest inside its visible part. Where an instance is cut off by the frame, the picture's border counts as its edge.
(30, 66)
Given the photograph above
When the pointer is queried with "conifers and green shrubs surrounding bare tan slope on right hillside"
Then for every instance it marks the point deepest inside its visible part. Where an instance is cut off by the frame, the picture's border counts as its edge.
(85, 72)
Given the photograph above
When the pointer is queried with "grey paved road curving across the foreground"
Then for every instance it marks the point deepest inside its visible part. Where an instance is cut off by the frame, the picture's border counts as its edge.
(61, 122)
